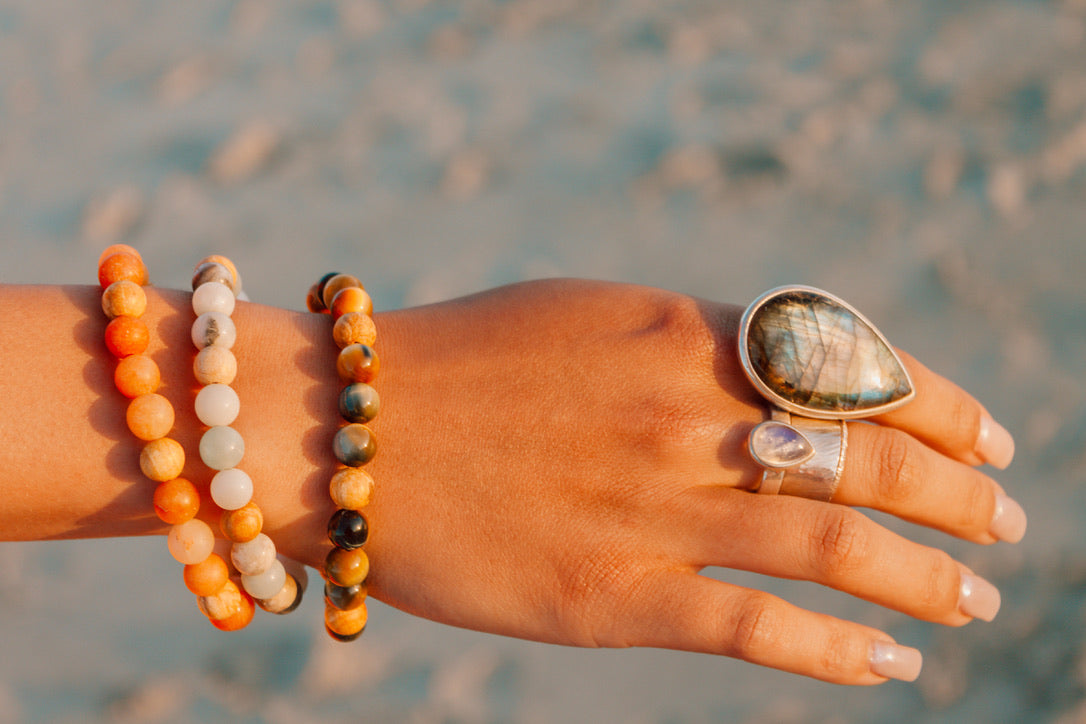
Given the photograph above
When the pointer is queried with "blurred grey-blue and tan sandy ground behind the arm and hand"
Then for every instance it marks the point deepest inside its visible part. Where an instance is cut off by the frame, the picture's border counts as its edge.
(925, 160)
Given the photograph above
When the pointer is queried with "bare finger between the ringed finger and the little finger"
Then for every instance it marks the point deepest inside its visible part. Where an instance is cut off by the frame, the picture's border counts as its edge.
(842, 549)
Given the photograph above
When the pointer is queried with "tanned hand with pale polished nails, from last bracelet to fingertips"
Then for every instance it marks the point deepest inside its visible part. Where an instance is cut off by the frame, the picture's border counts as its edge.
(559, 461)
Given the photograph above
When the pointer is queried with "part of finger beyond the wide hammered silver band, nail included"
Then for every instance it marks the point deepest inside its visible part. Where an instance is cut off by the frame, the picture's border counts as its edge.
(889, 471)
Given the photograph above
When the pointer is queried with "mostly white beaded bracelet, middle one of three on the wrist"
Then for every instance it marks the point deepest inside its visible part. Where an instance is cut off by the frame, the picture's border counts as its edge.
(216, 287)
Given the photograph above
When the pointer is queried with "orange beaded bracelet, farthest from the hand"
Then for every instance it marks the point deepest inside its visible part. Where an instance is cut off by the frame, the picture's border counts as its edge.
(150, 417)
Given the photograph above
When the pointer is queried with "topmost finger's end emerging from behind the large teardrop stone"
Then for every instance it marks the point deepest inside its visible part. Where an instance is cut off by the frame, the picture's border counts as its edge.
(950, 421)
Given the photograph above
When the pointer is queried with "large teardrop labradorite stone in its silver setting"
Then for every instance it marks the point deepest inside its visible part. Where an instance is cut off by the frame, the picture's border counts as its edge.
(824, 358)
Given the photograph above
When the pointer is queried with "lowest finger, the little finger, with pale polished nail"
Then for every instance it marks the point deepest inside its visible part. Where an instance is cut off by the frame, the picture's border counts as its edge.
(687, 612)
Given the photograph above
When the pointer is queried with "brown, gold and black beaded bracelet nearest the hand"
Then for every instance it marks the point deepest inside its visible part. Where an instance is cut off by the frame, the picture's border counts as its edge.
(347, 565)
